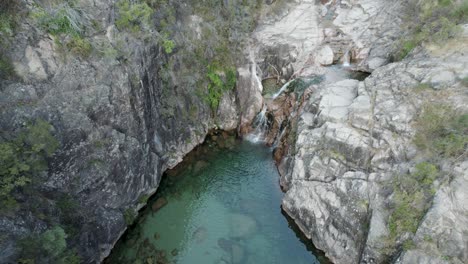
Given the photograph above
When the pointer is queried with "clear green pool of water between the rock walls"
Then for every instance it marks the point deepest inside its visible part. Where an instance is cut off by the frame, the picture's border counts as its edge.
(223, 207)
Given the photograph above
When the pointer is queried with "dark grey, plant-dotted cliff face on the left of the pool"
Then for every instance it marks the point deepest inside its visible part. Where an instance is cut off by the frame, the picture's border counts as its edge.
(123, 112)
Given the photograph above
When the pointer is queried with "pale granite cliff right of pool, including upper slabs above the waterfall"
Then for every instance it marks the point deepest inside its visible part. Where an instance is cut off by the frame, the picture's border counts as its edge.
(361, 179)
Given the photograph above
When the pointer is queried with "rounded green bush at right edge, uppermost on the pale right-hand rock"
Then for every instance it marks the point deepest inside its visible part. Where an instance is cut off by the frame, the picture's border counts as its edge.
(442, 131)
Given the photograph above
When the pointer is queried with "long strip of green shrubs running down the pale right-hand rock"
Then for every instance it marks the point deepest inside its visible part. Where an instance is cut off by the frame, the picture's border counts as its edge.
(442, 134)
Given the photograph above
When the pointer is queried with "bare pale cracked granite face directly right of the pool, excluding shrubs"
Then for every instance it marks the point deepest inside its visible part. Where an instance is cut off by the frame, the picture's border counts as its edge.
(353, 137)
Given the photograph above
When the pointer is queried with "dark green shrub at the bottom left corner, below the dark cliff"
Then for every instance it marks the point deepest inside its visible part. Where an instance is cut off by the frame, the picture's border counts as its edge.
(48, 247)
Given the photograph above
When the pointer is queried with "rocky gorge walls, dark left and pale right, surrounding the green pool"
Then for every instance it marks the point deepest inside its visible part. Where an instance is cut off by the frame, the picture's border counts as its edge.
(138, 101)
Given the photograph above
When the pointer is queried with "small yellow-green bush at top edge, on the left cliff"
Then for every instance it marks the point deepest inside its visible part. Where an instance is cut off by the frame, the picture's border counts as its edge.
(135, 17)
